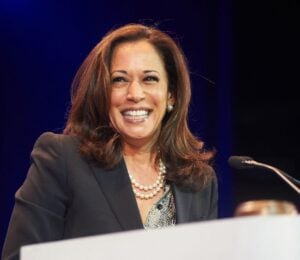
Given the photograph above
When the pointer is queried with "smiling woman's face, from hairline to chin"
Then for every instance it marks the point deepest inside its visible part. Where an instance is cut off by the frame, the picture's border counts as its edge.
(139, 92)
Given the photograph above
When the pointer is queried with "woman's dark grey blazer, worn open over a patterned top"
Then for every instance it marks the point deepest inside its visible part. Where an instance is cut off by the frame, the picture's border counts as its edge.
(65, 197)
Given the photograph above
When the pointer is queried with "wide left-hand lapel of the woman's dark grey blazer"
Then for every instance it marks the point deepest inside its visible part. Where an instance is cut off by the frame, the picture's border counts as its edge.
(116, 187)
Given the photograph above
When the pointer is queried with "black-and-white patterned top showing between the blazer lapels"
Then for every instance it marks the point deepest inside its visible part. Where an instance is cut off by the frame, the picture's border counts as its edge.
(163, 212)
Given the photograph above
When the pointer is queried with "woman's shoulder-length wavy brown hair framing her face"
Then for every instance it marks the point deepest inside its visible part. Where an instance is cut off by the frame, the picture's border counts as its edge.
(184, 155)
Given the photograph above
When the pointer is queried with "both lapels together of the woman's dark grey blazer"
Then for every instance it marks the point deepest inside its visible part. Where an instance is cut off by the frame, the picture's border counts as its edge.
(117, 189)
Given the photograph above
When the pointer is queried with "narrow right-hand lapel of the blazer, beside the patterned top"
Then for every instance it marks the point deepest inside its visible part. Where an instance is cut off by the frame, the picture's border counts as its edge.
(183, 202)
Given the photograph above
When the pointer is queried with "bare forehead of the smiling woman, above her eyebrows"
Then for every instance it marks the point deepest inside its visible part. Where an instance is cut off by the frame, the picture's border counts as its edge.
(138, 53)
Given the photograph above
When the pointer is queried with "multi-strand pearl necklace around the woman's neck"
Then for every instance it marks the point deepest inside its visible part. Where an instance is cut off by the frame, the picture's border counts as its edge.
(149, 191)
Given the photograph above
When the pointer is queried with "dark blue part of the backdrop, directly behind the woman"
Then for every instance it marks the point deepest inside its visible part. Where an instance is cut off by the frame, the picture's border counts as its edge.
(44, 42)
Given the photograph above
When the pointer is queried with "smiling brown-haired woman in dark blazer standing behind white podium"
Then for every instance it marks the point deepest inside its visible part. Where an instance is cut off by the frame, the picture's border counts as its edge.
(126, 159)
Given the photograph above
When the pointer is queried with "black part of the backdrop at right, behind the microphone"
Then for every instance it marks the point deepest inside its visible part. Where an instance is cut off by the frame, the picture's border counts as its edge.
(266, 100)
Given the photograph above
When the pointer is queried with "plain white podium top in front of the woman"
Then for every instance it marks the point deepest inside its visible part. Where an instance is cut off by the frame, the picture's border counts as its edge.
(241, 238)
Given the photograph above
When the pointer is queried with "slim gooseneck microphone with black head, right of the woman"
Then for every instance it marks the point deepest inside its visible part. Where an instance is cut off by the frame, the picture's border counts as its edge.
(245, 162)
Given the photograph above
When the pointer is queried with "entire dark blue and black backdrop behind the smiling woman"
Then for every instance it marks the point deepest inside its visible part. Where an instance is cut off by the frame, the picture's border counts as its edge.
(243, 58)
